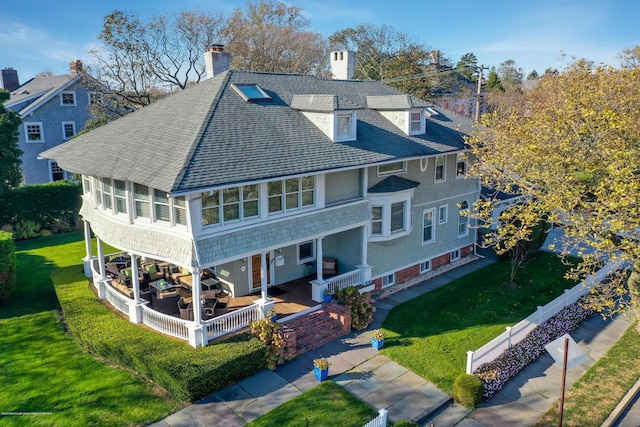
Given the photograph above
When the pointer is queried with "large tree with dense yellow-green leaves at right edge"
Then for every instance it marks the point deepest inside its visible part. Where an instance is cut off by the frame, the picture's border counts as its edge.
(575, 153)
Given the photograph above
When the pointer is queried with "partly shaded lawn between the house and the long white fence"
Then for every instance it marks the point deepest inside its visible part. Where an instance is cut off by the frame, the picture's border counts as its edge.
(431, 334)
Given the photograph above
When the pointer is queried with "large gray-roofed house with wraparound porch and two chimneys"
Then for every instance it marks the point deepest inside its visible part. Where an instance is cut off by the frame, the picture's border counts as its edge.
(269, 178)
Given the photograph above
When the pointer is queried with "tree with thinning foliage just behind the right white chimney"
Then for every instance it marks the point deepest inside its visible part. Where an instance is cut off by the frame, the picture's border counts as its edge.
(387, 55)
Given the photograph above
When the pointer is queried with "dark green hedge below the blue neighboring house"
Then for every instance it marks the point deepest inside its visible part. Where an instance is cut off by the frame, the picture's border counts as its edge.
(52, 207)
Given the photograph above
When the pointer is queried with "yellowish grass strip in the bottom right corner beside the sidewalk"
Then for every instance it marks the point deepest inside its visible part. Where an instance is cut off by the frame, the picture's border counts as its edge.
(596, 393)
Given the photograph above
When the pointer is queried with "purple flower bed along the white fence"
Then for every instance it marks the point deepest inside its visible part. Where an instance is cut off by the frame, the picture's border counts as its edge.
(494, 375)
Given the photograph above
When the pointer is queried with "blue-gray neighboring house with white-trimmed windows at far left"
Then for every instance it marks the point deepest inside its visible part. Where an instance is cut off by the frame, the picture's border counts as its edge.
(53, 109)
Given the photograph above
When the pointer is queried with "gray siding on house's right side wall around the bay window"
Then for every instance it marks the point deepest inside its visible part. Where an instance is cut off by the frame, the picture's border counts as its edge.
(392, 255)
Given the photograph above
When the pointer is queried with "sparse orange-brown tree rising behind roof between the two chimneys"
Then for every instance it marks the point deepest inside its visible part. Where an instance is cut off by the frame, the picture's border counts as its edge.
(273, 37)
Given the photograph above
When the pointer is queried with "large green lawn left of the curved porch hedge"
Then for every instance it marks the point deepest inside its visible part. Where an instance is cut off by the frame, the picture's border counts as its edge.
(44, 371)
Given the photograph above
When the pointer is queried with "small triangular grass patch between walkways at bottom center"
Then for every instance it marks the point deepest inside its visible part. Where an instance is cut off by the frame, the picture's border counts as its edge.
(327, 404)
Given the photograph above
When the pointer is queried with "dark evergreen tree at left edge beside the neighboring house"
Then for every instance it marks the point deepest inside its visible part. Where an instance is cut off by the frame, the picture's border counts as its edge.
(10, 174)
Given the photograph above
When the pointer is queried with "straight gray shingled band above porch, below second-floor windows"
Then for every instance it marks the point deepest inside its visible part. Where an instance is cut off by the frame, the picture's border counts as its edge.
(229, 246)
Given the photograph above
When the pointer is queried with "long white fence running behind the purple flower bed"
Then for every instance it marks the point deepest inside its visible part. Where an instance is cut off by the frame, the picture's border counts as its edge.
(516, 333)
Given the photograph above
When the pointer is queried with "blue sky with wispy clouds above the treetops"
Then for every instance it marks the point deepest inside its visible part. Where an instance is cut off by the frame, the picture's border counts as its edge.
(45, 35)
